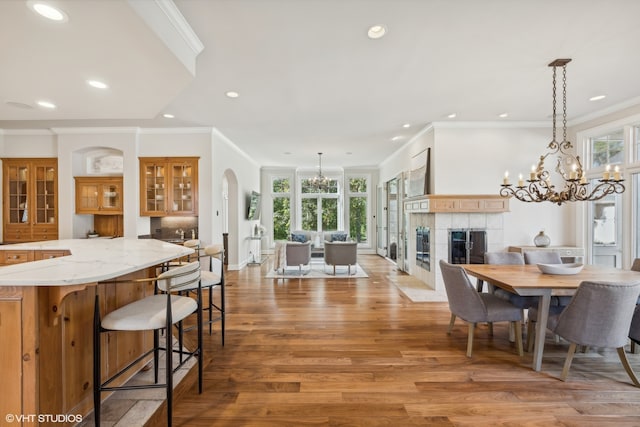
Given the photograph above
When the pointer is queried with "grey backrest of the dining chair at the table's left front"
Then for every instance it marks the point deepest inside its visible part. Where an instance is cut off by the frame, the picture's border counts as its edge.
(464, 301)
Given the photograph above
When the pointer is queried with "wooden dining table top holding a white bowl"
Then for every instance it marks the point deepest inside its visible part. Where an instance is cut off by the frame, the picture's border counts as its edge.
(529, 280)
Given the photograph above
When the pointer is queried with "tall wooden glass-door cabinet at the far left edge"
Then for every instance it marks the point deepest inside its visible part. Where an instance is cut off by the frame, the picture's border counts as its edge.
(30, 200)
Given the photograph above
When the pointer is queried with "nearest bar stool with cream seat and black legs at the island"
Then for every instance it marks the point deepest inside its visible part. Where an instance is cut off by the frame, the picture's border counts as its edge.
(158, 312)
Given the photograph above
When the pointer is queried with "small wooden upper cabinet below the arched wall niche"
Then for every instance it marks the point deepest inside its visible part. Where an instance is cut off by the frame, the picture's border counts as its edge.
(99, 195)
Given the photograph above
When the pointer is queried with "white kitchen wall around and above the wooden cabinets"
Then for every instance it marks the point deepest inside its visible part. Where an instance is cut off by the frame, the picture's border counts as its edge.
(216, 155)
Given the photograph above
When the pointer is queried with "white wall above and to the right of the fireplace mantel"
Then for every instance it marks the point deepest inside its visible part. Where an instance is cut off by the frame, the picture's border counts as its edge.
(468, 158)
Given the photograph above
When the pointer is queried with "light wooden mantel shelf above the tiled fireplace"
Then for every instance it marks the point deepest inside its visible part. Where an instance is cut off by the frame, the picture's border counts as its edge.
(469, 203)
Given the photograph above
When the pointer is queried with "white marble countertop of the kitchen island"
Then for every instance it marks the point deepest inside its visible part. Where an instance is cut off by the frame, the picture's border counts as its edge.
(91, 260)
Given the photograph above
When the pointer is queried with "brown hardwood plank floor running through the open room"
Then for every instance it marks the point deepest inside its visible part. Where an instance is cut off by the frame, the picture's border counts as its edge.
(357, 352)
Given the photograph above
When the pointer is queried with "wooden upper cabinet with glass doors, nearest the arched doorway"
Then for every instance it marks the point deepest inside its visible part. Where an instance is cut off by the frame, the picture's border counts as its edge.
(168, 186)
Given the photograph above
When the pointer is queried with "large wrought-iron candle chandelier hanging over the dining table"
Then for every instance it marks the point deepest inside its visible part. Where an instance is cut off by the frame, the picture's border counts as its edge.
(575, 187)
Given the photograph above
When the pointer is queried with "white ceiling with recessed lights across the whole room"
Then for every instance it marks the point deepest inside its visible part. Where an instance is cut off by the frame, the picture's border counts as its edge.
(308, 77)
